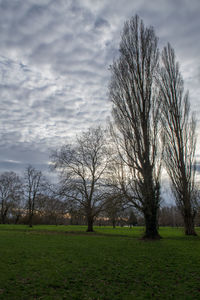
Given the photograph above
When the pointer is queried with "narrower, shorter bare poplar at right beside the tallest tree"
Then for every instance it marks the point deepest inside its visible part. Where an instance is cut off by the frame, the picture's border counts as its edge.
(180, 138)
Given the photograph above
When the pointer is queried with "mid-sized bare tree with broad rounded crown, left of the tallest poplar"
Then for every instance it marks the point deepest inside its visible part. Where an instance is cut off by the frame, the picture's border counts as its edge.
(82, 166)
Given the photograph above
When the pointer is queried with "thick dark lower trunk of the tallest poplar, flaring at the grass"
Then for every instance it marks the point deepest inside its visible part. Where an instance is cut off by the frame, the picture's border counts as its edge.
(151, 224)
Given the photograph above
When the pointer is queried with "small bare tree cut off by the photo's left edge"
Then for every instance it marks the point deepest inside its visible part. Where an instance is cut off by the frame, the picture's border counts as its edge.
(11, 193)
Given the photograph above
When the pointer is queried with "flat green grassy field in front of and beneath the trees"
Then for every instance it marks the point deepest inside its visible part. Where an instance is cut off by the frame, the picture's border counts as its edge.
(64, 262)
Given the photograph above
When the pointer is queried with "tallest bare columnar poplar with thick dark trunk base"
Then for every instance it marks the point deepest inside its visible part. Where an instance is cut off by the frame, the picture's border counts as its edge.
(136, 116)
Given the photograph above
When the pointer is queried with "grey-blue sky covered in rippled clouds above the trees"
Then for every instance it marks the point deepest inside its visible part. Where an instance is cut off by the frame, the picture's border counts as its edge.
(54, 61)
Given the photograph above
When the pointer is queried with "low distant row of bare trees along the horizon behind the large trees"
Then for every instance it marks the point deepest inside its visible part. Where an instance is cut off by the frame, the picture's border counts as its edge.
(32, 200)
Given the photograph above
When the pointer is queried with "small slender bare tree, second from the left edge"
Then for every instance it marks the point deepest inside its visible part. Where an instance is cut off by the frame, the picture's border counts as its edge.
(32, 187)
